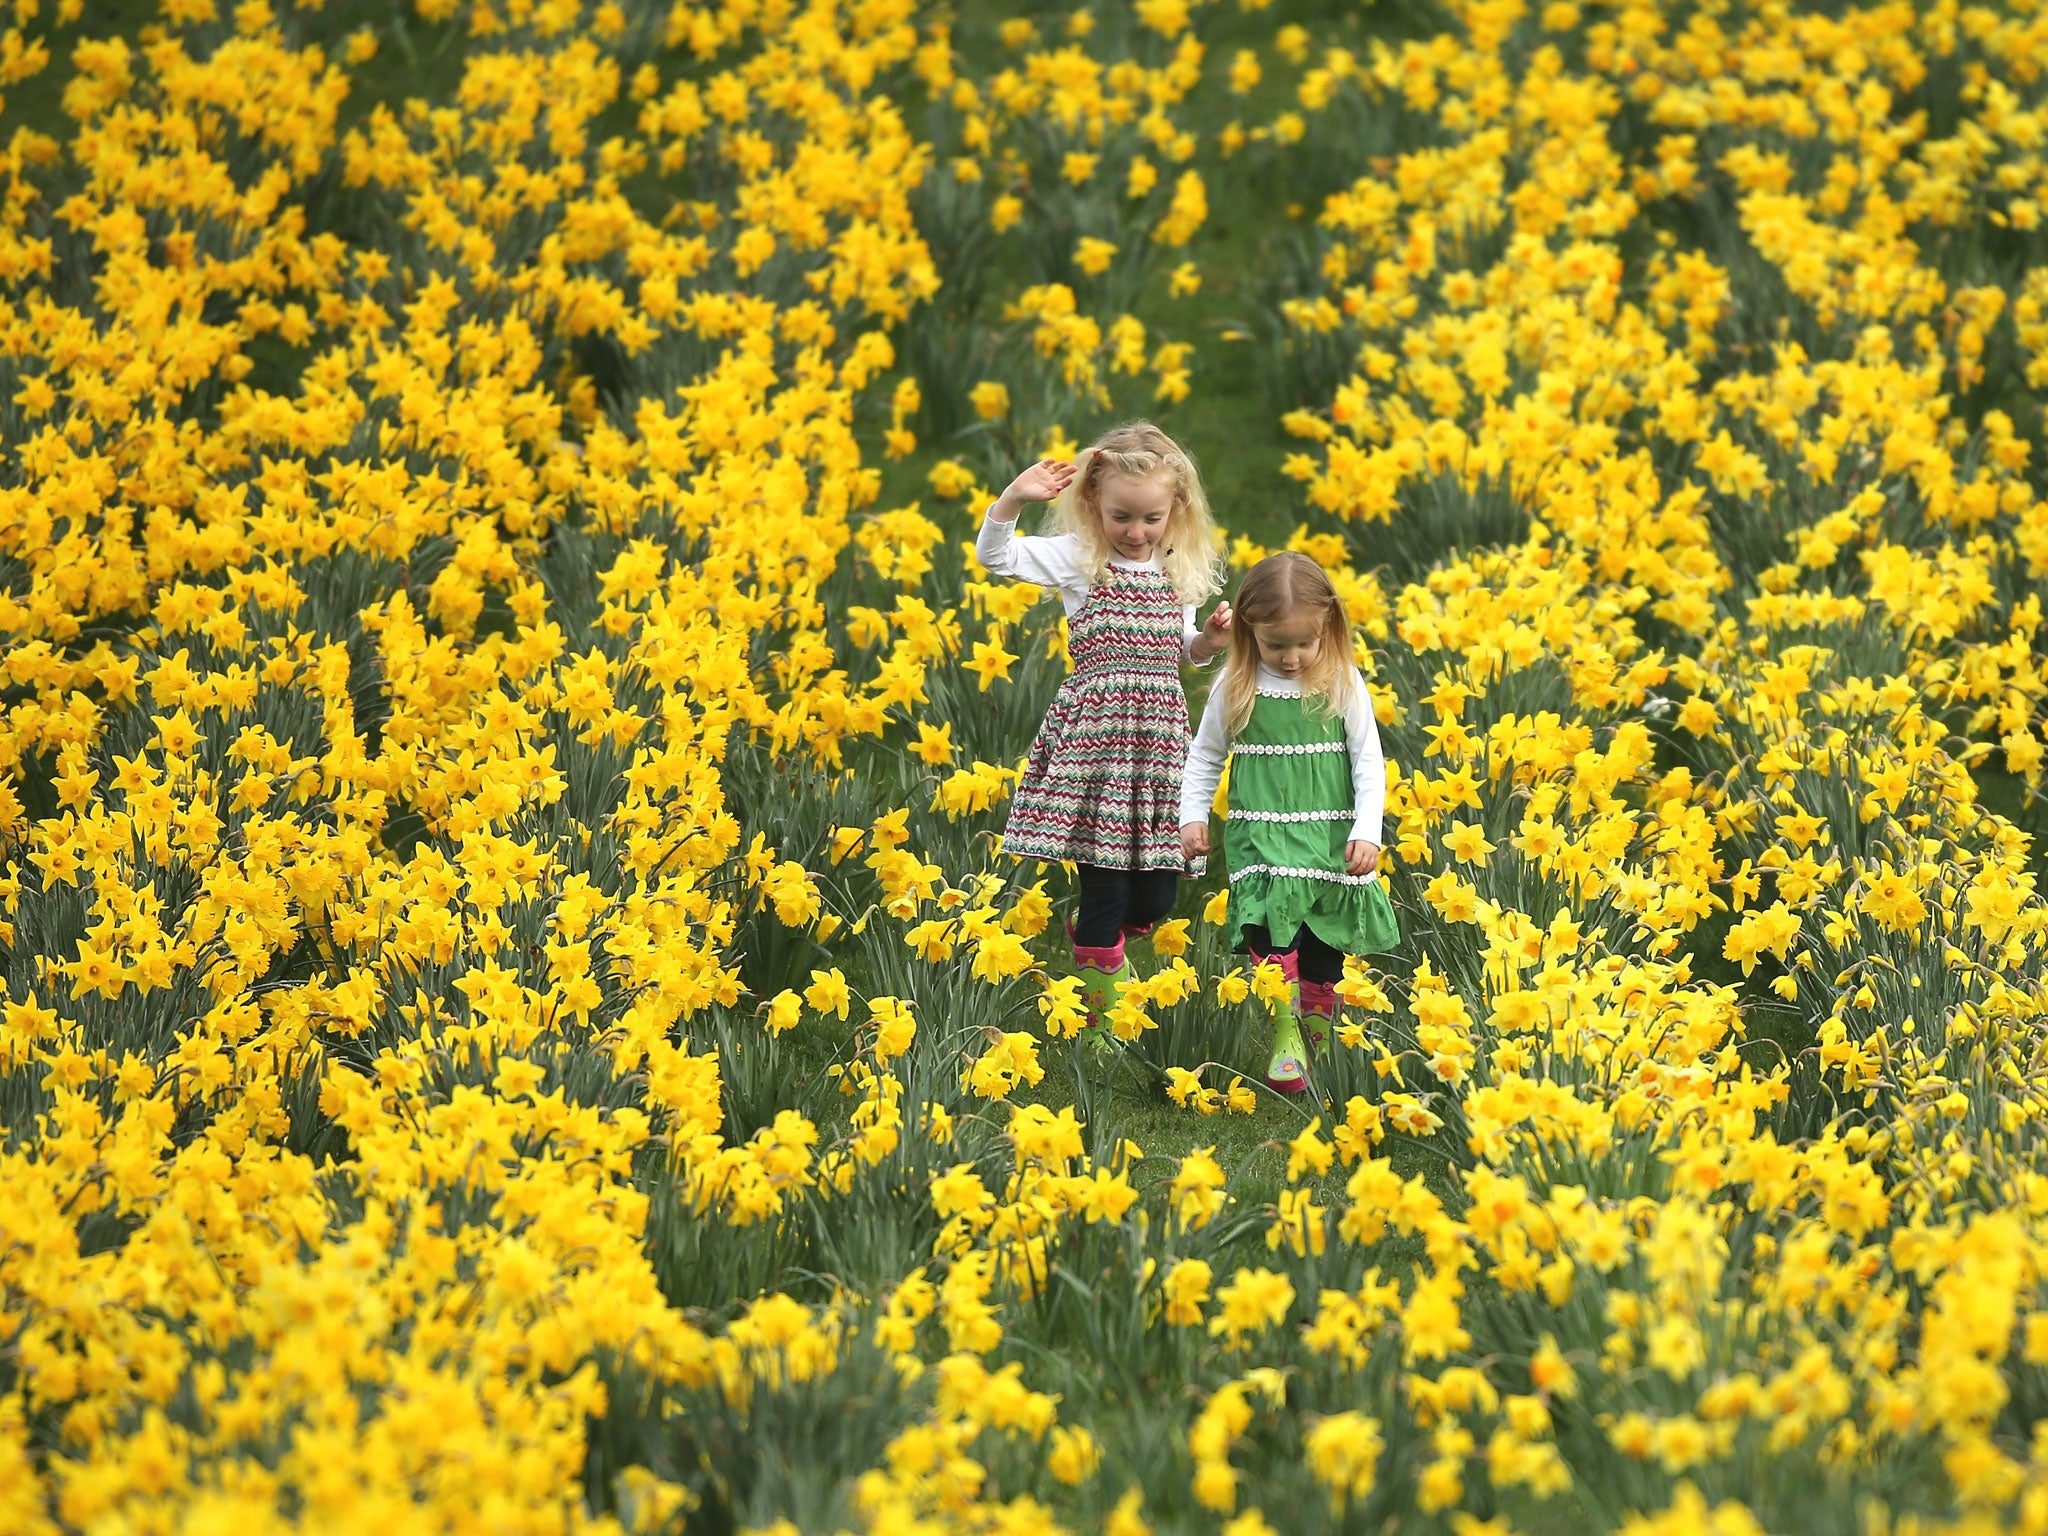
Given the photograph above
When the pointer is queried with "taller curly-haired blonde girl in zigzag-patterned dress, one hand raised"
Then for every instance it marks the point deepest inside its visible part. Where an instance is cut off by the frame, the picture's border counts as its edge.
(1132, 556)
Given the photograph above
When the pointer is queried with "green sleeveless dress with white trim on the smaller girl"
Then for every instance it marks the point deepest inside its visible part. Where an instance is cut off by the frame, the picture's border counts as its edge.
(1287, 824)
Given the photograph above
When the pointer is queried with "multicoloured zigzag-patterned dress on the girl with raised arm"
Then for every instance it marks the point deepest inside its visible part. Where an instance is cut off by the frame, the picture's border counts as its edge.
(1103, 781)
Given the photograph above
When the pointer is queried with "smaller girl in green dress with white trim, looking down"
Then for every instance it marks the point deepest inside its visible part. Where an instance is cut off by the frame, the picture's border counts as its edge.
(1308, 792)
